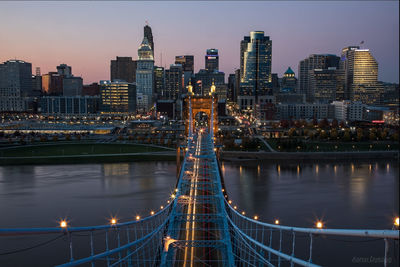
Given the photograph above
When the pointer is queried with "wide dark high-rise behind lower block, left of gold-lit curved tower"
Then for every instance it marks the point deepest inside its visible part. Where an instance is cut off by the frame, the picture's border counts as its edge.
(314, 61)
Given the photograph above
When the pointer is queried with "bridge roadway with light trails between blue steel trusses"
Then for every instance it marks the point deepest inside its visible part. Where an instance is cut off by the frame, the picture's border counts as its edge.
(197, 224)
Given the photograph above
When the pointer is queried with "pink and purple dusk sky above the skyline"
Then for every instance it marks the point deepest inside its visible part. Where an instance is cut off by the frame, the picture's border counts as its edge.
(87, 35)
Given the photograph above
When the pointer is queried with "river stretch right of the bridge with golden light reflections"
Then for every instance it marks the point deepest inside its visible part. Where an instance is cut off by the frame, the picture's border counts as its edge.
(355, 195)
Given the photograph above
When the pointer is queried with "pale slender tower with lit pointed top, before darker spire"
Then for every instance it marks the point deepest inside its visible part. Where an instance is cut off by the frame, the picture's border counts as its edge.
(144, 76)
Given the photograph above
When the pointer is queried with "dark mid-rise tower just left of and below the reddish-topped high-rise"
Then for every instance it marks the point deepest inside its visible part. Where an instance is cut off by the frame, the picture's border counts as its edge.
(173, 82)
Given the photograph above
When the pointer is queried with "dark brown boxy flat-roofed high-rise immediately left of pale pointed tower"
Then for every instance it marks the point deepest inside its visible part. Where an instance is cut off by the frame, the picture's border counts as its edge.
(123, 68)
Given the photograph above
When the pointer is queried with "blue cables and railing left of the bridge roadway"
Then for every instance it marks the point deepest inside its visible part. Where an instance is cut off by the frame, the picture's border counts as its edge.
(133, 243)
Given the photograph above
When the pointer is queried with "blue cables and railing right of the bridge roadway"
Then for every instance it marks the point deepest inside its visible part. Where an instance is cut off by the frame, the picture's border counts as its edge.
(255, 242)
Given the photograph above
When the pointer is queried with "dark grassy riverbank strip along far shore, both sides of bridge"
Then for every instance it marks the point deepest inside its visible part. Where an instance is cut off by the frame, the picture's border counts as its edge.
(111, 153)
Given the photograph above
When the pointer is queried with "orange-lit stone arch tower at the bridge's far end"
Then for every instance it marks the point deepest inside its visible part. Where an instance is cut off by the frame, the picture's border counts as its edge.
(195, 104)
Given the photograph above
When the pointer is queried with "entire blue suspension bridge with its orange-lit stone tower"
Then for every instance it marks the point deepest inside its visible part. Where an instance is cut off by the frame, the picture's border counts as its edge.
(199, 226)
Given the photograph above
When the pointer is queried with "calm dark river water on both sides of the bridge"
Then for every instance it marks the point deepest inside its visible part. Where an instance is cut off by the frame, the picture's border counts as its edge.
(342, 194)
